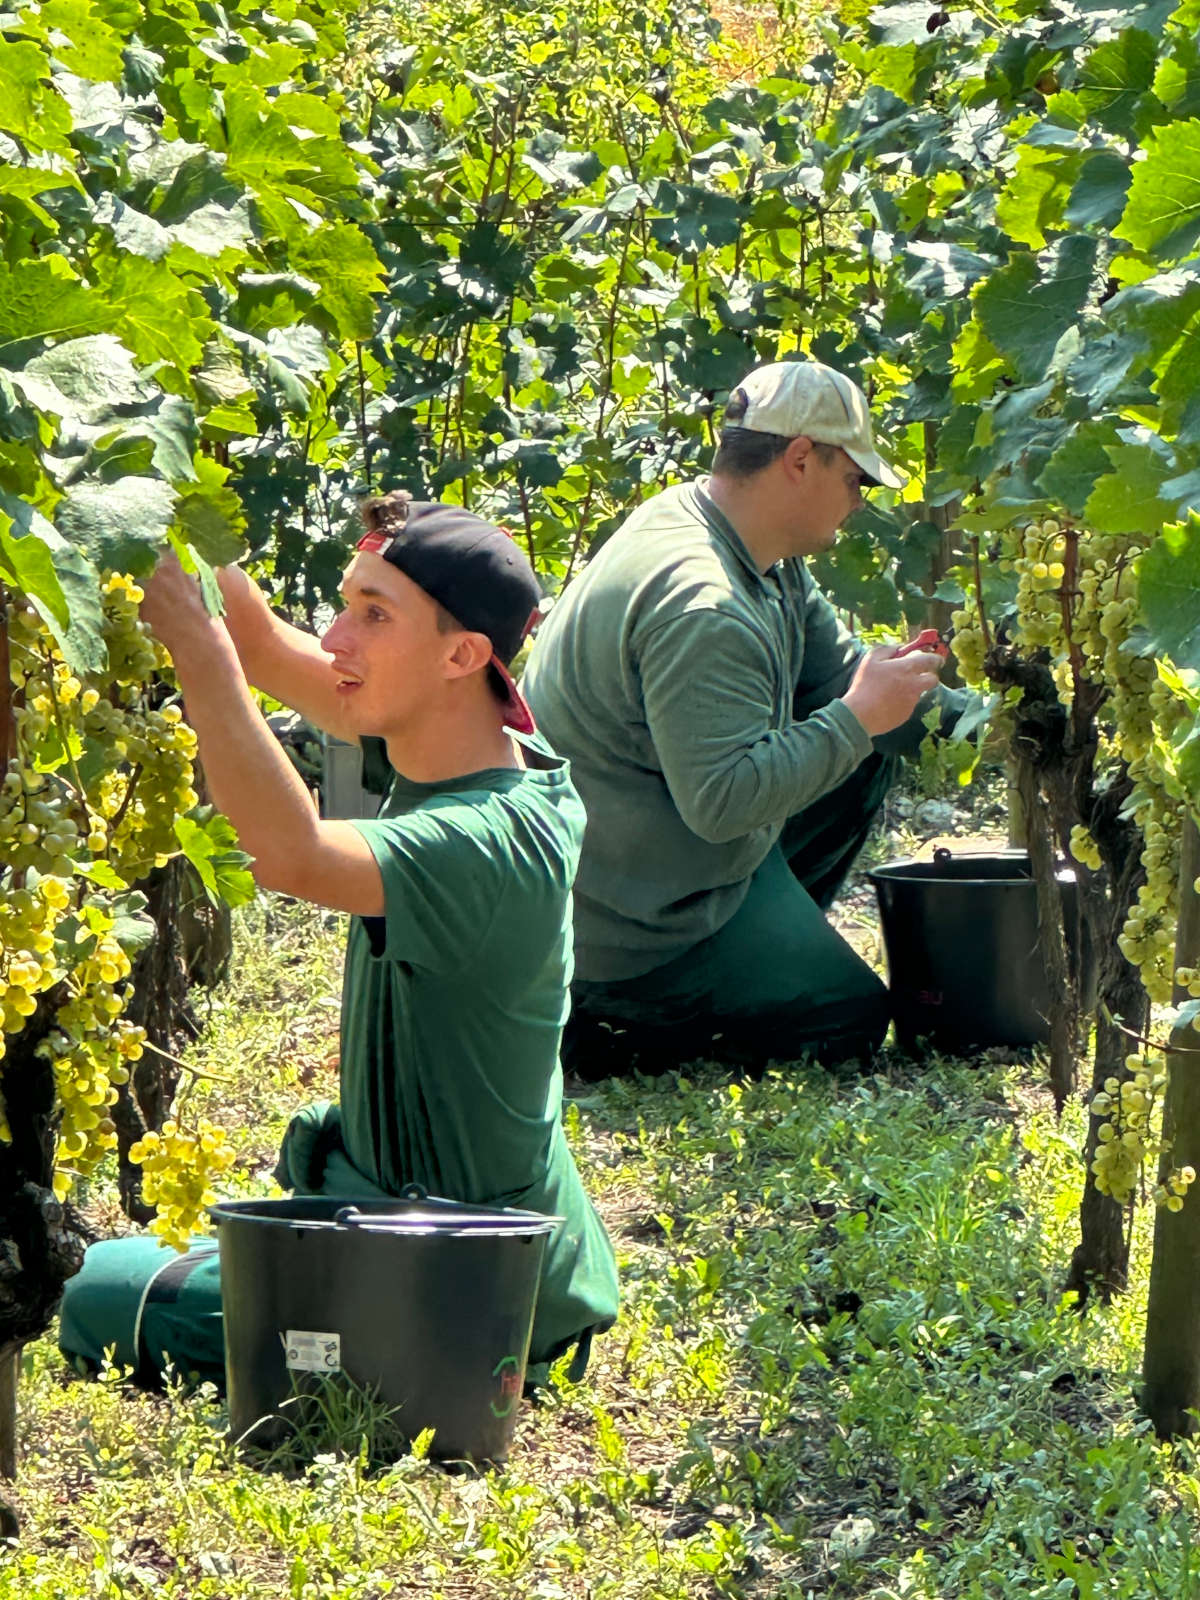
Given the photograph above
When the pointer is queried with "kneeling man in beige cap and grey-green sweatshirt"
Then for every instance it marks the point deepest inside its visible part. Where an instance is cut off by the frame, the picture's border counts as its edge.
(721, 727)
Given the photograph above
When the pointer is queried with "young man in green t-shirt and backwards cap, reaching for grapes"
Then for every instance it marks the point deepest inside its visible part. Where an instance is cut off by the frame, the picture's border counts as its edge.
(460, 950)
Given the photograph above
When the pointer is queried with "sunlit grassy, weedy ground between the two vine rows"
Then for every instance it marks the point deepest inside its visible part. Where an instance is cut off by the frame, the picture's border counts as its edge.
(844, 1369)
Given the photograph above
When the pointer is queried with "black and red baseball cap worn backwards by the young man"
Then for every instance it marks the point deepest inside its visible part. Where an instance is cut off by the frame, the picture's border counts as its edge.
(471, 567)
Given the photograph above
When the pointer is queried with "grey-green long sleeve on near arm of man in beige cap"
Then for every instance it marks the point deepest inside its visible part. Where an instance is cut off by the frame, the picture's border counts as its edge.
(713, 705)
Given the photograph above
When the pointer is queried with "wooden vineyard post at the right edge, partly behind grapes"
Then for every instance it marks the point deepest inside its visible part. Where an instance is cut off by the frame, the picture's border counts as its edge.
(1172, 1358)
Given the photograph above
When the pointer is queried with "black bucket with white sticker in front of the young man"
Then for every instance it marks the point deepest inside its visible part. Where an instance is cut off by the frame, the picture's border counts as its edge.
(425, 1302)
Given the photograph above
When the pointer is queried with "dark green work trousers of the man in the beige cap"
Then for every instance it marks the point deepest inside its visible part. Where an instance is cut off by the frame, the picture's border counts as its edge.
(777, 983)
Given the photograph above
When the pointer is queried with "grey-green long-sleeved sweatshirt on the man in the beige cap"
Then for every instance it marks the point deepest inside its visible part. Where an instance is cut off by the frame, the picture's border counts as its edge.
(698, 703)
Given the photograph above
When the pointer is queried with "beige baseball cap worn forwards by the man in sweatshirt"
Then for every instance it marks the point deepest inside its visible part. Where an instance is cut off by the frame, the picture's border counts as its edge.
(807, 398)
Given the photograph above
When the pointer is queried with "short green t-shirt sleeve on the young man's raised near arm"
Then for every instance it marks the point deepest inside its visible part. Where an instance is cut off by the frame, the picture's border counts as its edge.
(441, 887)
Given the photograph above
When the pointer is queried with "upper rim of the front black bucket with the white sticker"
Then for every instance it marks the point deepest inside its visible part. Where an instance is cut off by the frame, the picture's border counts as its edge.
(428, 1217)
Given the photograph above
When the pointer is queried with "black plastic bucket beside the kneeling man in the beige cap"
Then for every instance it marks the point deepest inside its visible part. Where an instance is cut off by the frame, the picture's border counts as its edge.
(962, 943)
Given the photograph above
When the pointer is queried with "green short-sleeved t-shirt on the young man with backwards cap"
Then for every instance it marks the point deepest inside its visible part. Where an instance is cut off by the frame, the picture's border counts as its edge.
(454, 1006)
